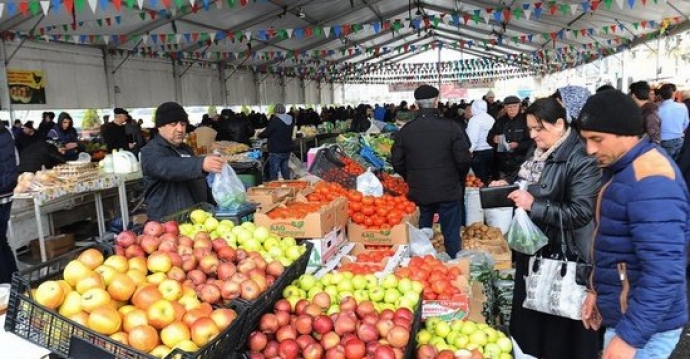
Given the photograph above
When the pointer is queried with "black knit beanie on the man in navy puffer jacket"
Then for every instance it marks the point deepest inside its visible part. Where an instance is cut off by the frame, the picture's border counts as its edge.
(611, 112)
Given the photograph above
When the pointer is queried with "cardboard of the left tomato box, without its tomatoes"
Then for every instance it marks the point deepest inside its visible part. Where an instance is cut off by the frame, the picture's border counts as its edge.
(313, 225)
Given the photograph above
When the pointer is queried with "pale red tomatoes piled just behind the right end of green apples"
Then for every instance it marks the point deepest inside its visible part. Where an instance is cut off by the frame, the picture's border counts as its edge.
(434, 274)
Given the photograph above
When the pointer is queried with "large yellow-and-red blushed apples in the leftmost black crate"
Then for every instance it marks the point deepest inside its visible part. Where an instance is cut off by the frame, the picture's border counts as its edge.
(114, 296)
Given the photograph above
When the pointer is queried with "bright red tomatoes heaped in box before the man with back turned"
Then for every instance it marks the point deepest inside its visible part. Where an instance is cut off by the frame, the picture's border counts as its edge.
(378, 212)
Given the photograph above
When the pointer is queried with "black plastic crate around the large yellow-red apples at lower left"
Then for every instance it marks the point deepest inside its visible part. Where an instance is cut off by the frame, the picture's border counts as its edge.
(67, 339)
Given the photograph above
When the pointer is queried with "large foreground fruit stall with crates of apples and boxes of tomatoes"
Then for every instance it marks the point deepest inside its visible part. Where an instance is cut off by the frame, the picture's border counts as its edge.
(316, 269)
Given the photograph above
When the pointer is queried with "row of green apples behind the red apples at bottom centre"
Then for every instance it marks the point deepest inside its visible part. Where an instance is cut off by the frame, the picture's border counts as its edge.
(388, 293)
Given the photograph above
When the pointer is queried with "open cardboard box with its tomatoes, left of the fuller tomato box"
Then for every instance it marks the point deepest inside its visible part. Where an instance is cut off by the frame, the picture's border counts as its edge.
(300, 218)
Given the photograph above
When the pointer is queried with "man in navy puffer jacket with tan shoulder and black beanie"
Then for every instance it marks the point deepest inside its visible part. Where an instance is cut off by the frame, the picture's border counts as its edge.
(638, 287)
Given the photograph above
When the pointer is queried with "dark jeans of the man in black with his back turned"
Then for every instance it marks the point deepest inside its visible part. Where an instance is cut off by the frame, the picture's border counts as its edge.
(449, 218)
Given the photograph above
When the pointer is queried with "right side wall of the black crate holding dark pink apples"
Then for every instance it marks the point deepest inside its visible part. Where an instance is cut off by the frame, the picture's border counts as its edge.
(256, 308)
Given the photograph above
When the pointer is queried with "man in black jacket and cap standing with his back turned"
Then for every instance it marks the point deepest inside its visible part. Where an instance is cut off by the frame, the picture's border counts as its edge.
(432, 153)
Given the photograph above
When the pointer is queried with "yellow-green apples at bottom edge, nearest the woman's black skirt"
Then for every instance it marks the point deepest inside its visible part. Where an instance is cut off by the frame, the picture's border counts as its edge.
(462, 339)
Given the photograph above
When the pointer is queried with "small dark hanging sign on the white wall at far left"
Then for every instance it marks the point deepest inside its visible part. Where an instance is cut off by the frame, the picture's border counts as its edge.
(27, 87)
